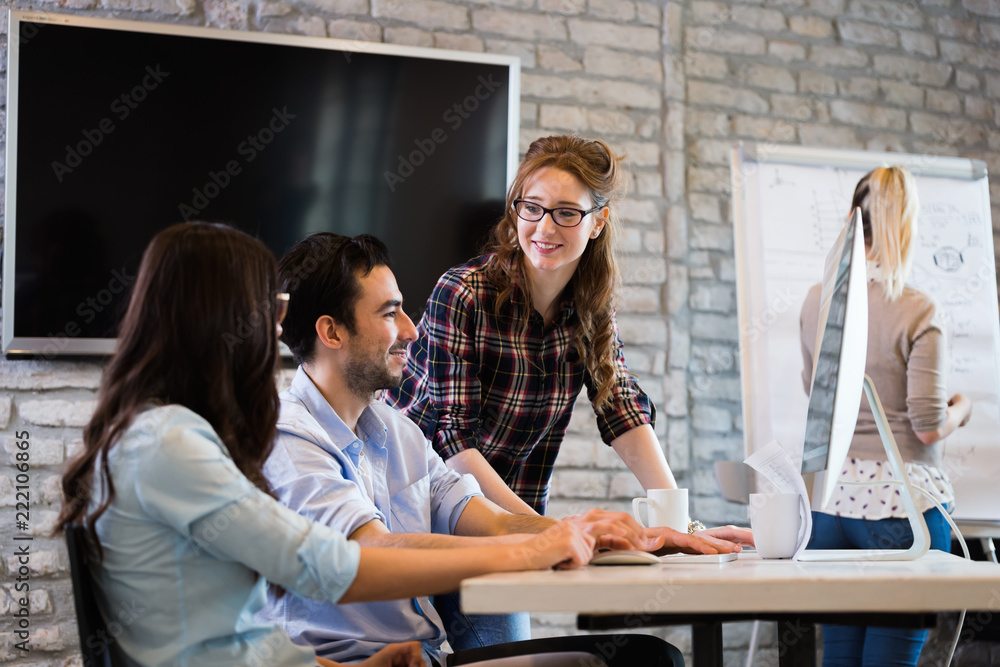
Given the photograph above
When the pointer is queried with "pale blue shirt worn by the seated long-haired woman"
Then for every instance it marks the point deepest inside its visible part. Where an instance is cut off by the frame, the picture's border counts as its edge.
(183, 540)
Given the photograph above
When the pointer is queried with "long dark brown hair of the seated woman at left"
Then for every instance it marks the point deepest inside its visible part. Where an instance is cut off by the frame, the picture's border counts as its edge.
(200, 331)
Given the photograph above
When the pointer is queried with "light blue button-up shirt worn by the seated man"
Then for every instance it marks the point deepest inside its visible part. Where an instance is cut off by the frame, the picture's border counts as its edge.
(314, 470)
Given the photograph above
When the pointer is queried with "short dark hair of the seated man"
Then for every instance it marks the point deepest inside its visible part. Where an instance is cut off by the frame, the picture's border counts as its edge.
(321, 273)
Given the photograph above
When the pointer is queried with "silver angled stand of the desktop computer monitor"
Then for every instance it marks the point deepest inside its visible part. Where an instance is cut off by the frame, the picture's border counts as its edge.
(921, 537)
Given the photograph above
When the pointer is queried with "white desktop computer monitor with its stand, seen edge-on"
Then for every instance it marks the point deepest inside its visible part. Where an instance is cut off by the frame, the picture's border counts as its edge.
(835, 397)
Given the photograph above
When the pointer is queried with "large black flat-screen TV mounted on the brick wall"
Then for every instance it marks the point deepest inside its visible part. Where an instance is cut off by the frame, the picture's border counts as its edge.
(117, 129)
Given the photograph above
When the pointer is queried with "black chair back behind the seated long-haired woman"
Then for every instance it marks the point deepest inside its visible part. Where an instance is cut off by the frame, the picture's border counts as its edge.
(96, 644)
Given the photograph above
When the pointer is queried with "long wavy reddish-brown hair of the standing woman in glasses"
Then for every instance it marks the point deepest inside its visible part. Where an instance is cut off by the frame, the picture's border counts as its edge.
(596, 277)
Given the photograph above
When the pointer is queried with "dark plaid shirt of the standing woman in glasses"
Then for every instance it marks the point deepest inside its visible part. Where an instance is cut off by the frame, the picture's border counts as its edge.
(478, 380)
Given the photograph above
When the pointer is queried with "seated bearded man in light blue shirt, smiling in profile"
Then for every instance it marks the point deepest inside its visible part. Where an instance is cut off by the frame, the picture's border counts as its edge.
(357, 465)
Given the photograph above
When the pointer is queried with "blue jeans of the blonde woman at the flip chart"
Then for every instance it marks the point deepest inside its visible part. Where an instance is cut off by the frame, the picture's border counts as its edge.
(870, 646)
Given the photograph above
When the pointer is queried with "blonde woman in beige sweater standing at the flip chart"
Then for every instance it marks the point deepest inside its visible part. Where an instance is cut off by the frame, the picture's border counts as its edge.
(907, 363)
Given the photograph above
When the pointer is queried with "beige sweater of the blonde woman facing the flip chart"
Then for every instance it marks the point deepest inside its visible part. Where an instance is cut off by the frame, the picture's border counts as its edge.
(907, 364)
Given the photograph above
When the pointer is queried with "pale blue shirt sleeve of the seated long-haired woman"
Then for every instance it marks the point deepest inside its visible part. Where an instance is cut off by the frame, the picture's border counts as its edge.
(194, 487)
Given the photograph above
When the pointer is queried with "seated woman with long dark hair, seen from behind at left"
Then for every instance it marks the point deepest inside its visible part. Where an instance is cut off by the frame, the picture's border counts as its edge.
(169, 484)
